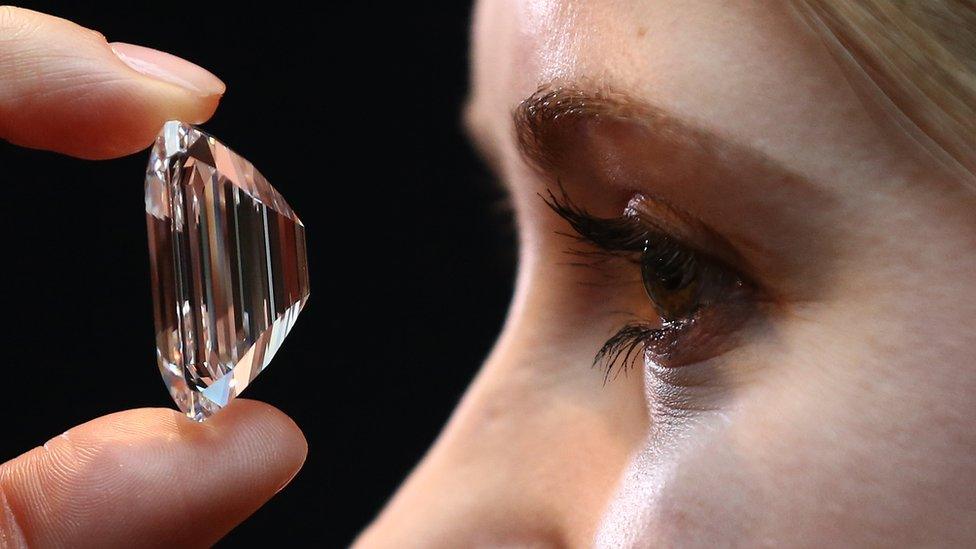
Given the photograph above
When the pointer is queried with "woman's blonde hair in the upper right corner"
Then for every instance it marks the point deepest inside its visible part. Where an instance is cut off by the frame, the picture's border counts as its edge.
(921, 56)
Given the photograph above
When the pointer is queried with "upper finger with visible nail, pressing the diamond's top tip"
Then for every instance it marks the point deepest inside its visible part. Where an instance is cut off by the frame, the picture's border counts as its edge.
(64, 88)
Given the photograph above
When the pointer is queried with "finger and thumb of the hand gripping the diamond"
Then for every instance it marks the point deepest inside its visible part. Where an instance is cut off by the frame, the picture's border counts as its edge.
(139, 477)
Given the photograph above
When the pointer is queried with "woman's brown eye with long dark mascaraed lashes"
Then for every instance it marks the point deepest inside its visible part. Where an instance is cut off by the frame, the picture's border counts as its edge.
(700, 300)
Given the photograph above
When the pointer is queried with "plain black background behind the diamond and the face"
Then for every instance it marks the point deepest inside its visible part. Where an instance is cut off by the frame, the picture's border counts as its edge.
(353, 113)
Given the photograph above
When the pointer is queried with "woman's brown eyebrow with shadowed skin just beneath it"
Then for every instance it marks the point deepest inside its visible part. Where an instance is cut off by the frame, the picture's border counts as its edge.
(547, 127)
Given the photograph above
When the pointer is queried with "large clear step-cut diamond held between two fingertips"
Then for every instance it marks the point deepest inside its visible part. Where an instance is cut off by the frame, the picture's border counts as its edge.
(229, 271)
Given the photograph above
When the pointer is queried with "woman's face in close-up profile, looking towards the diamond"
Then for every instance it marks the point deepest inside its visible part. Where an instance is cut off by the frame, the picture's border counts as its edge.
(793, 274)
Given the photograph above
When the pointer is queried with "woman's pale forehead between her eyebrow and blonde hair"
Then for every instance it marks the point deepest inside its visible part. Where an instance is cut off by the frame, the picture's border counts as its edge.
(749, 71)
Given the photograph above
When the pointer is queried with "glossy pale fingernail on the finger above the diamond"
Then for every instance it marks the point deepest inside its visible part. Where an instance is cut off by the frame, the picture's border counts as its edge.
(168, 68)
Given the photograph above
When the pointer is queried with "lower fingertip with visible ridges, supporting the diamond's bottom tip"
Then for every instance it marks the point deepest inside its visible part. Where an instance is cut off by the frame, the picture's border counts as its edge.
(134, 474)
